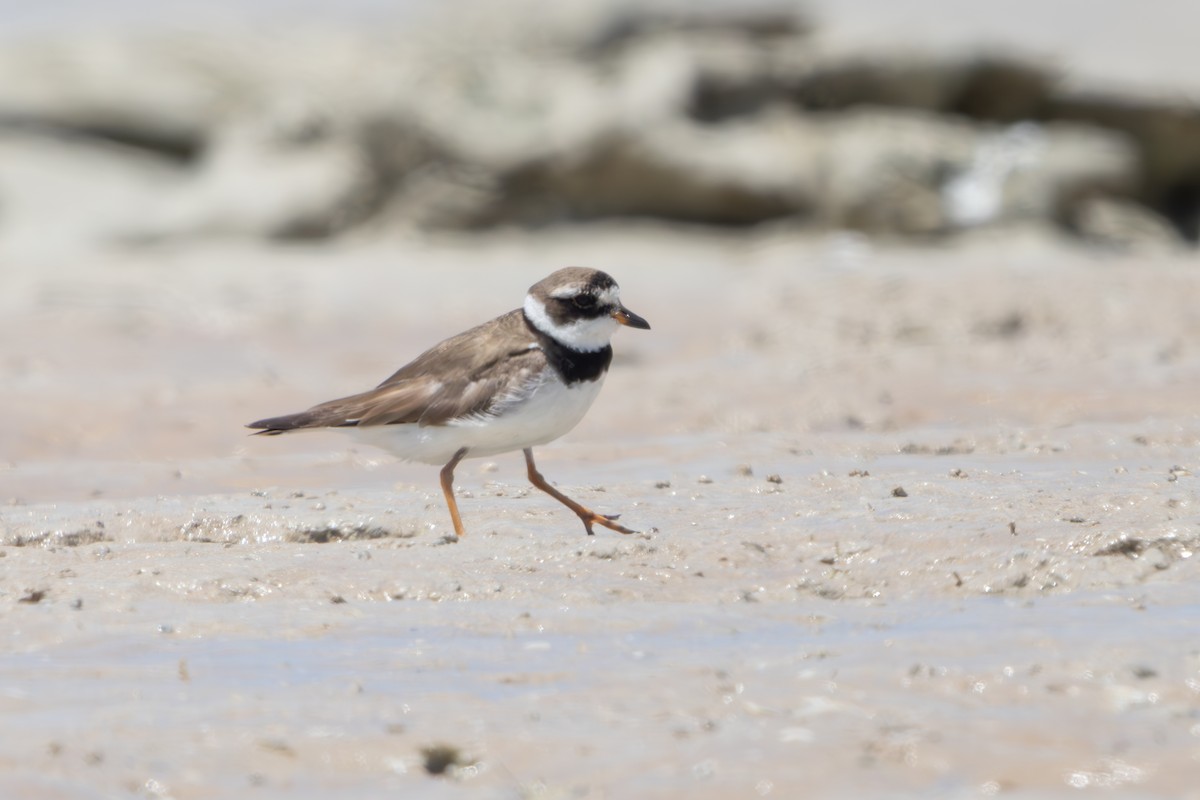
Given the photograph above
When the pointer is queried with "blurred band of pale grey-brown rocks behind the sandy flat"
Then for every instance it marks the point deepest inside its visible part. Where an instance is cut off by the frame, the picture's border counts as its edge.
(716, 116)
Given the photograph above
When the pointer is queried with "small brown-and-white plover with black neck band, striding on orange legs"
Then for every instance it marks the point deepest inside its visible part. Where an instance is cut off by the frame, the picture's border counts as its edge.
(514, 383)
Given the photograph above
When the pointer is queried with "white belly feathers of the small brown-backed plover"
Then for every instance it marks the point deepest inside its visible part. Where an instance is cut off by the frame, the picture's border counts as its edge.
(548, 413)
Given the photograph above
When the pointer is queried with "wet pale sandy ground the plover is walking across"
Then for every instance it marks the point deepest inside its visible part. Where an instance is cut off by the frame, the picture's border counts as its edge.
(920, 524)
